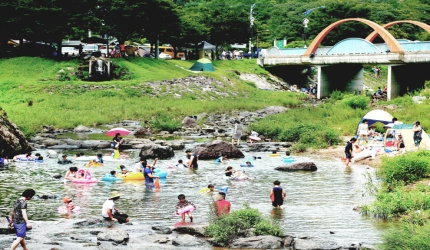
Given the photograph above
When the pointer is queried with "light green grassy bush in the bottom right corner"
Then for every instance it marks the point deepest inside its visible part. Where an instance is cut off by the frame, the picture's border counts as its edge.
(407, 236)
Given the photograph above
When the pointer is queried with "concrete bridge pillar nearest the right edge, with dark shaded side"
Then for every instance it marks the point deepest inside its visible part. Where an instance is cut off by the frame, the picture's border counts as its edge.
(406, 78)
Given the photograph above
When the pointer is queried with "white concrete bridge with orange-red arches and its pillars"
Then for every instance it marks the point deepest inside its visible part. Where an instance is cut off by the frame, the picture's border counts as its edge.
(340, 66)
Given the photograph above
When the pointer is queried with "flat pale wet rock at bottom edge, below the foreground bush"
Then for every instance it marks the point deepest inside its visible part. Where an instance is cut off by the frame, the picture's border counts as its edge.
(258, 242)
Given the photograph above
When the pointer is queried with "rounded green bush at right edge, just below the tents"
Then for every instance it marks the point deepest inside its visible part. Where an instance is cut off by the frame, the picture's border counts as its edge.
(406, 168)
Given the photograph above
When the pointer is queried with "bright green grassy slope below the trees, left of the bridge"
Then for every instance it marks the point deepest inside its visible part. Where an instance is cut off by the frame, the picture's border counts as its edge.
(32, 96)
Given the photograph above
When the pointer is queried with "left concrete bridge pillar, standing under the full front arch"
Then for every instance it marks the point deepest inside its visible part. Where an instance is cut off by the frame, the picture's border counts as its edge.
(342, 77)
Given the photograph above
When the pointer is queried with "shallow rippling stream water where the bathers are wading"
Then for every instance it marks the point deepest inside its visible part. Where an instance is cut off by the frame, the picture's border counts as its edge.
(317, 202)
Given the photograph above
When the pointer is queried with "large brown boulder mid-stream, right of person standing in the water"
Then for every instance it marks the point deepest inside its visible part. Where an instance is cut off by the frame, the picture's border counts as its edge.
(213, 150)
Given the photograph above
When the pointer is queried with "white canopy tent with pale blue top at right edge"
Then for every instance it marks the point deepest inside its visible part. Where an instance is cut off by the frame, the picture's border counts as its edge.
(408, 137)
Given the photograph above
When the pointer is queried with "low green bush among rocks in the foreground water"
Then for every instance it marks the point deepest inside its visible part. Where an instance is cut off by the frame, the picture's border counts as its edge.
(228, 227)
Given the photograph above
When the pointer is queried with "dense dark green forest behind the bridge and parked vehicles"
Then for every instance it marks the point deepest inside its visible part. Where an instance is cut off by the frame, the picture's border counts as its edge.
(186, 22)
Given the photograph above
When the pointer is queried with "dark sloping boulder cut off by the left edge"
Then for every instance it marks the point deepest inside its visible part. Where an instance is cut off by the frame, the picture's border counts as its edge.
(12, 140)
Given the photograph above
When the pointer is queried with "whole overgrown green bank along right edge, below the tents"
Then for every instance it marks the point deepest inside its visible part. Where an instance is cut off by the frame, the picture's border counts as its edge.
(404, 196)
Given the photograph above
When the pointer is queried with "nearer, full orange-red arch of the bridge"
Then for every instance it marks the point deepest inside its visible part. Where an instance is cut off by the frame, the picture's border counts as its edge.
(391, 42)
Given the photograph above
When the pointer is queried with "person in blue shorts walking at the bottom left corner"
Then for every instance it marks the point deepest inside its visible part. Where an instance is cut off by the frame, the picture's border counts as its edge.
(20, 219)
